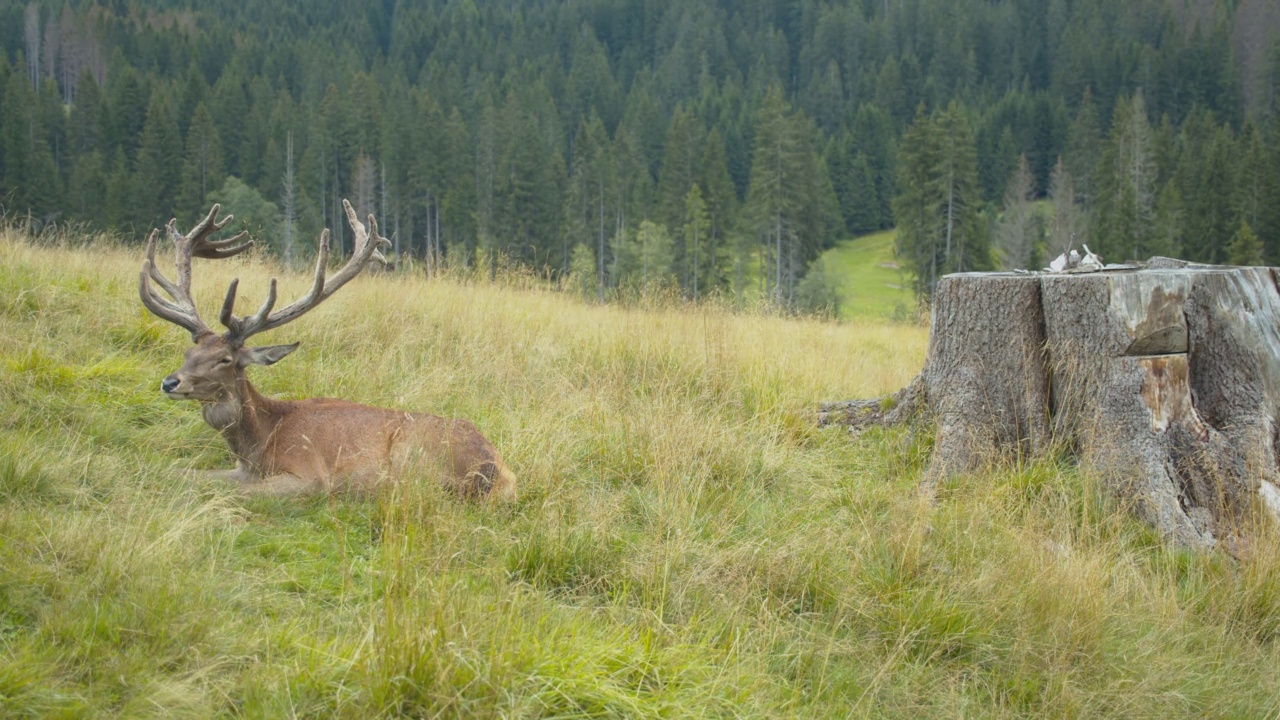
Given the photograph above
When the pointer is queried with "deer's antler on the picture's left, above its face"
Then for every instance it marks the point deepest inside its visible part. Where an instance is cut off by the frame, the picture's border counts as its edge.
(196, 244)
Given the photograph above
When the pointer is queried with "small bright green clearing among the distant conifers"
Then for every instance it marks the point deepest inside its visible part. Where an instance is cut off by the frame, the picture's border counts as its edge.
(871, 282)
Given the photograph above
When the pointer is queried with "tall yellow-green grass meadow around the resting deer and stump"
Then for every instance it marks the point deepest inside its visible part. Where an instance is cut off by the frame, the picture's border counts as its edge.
(687, 543)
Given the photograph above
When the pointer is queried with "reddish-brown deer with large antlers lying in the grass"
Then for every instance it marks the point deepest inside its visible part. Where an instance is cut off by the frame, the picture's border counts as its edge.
(294, 448)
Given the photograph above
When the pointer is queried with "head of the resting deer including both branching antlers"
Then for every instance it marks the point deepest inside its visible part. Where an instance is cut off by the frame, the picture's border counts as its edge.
(214, 367)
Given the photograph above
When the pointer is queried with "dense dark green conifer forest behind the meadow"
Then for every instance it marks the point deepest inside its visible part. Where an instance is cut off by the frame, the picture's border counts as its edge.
(708, 147)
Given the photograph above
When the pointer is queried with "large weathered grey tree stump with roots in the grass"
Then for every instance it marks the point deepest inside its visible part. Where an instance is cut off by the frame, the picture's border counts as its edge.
(1164, 379)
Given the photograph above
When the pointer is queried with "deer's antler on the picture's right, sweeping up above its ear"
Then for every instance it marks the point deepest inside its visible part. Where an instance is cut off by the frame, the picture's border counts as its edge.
(368, 243)
